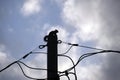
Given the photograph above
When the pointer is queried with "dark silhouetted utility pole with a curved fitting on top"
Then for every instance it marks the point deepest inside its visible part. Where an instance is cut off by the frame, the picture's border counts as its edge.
(52, 59)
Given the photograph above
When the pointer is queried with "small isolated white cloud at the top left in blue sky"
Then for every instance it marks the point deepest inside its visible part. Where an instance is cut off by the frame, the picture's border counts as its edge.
(31, 7)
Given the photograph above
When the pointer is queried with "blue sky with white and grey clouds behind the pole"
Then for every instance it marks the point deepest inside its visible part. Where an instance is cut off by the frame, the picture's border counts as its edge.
(24, 23)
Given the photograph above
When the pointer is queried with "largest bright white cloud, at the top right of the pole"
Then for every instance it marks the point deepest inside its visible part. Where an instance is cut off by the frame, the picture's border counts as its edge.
(83, 15)
